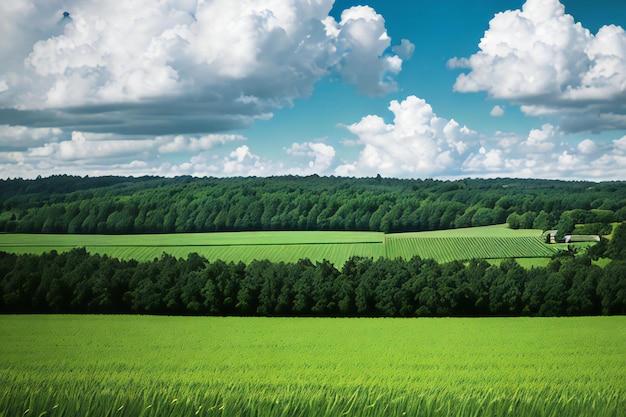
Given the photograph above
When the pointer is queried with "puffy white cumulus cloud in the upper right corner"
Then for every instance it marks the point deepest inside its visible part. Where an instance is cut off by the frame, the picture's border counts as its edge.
(541, 59)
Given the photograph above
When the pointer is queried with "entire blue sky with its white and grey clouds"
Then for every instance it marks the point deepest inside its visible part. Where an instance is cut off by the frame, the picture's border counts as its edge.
(441, 89)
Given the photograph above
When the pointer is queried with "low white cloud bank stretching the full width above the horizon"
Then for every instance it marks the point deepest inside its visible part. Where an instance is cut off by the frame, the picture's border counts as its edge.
(416, 143)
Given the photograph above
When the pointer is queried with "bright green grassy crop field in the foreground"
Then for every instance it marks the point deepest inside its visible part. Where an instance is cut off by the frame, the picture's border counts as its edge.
(216, 366)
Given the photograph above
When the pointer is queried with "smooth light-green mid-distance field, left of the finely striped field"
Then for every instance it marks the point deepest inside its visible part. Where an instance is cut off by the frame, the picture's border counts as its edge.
(337, 247)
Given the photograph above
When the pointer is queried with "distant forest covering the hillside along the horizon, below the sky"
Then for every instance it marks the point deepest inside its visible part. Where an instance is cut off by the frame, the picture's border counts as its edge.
(120, 205)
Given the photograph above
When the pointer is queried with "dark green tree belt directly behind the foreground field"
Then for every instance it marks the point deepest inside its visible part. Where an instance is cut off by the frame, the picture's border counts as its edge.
(76, 282)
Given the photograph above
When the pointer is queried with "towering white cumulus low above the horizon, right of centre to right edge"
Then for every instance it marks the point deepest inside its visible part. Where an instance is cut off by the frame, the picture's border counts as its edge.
(421, 144)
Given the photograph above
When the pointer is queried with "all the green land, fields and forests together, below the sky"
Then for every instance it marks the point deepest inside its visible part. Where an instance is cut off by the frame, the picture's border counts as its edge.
(312, 322)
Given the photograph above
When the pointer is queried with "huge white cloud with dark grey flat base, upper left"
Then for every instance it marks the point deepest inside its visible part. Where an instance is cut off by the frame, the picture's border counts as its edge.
(180, 66)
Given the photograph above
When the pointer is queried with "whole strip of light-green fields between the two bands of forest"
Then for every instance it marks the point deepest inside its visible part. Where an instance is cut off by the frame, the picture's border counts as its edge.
(491, 242)
